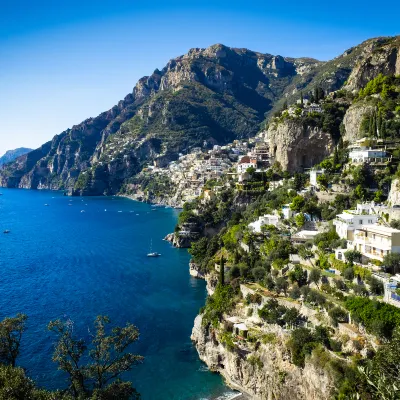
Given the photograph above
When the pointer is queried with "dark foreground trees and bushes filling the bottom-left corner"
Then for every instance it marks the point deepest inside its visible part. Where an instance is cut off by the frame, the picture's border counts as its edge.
(93, 368)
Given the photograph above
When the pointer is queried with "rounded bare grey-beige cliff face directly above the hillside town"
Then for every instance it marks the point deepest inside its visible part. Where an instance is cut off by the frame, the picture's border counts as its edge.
(296, 146)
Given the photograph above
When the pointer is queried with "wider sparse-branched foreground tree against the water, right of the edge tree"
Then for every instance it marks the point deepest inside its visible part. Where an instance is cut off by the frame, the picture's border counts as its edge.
(96, 367)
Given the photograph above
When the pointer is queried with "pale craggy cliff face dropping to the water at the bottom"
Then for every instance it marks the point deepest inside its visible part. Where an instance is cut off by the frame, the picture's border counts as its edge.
(276, 378)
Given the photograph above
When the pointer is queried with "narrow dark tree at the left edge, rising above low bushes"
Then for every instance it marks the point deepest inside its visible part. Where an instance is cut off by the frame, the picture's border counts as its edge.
(11, 330)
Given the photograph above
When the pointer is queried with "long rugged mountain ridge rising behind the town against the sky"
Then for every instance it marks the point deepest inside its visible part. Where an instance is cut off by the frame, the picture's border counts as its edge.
(215, 95)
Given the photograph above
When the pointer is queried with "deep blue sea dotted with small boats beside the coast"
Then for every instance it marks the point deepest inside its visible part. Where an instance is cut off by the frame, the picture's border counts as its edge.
(58, 262)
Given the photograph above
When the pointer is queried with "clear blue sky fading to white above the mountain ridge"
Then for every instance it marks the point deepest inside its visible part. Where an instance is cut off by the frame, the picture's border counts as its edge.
(64, 61)
